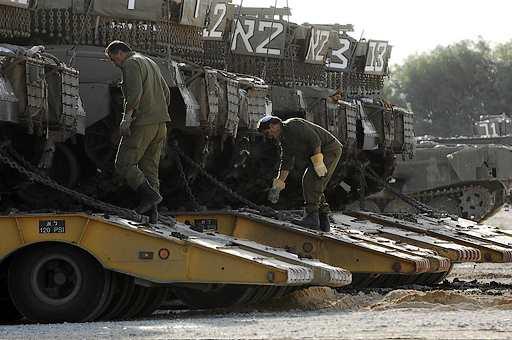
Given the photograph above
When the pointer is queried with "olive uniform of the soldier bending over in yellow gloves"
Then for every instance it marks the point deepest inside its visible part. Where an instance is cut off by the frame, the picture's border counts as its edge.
(299, 139)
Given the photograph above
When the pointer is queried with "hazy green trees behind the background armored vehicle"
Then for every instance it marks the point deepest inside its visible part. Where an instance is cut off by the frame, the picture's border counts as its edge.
(451, 86)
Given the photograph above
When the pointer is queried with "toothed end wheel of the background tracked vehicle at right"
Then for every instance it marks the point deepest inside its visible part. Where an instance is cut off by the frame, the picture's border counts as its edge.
(475, 203)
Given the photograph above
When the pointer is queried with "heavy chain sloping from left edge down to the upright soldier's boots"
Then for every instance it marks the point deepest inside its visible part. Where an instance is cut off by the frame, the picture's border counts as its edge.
(45, 180)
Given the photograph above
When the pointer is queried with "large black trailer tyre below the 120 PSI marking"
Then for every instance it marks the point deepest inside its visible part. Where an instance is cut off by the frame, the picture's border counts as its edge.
(58, 283)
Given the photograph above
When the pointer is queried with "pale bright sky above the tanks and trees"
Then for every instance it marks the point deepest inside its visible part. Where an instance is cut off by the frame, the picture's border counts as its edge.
(411, 26)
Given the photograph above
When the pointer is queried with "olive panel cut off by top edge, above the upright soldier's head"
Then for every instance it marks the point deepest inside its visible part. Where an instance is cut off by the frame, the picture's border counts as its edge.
(129, 9)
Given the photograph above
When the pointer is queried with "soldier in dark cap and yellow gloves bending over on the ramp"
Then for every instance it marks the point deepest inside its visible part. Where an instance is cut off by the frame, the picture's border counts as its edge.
(304, 140)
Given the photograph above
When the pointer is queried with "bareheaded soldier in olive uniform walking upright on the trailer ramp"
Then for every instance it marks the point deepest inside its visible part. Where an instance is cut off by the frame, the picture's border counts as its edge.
(143, 127)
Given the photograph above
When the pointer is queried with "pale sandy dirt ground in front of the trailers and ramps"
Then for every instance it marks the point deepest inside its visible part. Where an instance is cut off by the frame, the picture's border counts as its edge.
(476, 303)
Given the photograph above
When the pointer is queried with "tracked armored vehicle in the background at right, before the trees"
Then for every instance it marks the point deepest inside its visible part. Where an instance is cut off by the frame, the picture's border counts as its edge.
(469, 176)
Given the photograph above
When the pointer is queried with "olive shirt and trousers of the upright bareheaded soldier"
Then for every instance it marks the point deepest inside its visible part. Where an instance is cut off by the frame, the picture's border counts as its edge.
(145, 92)
